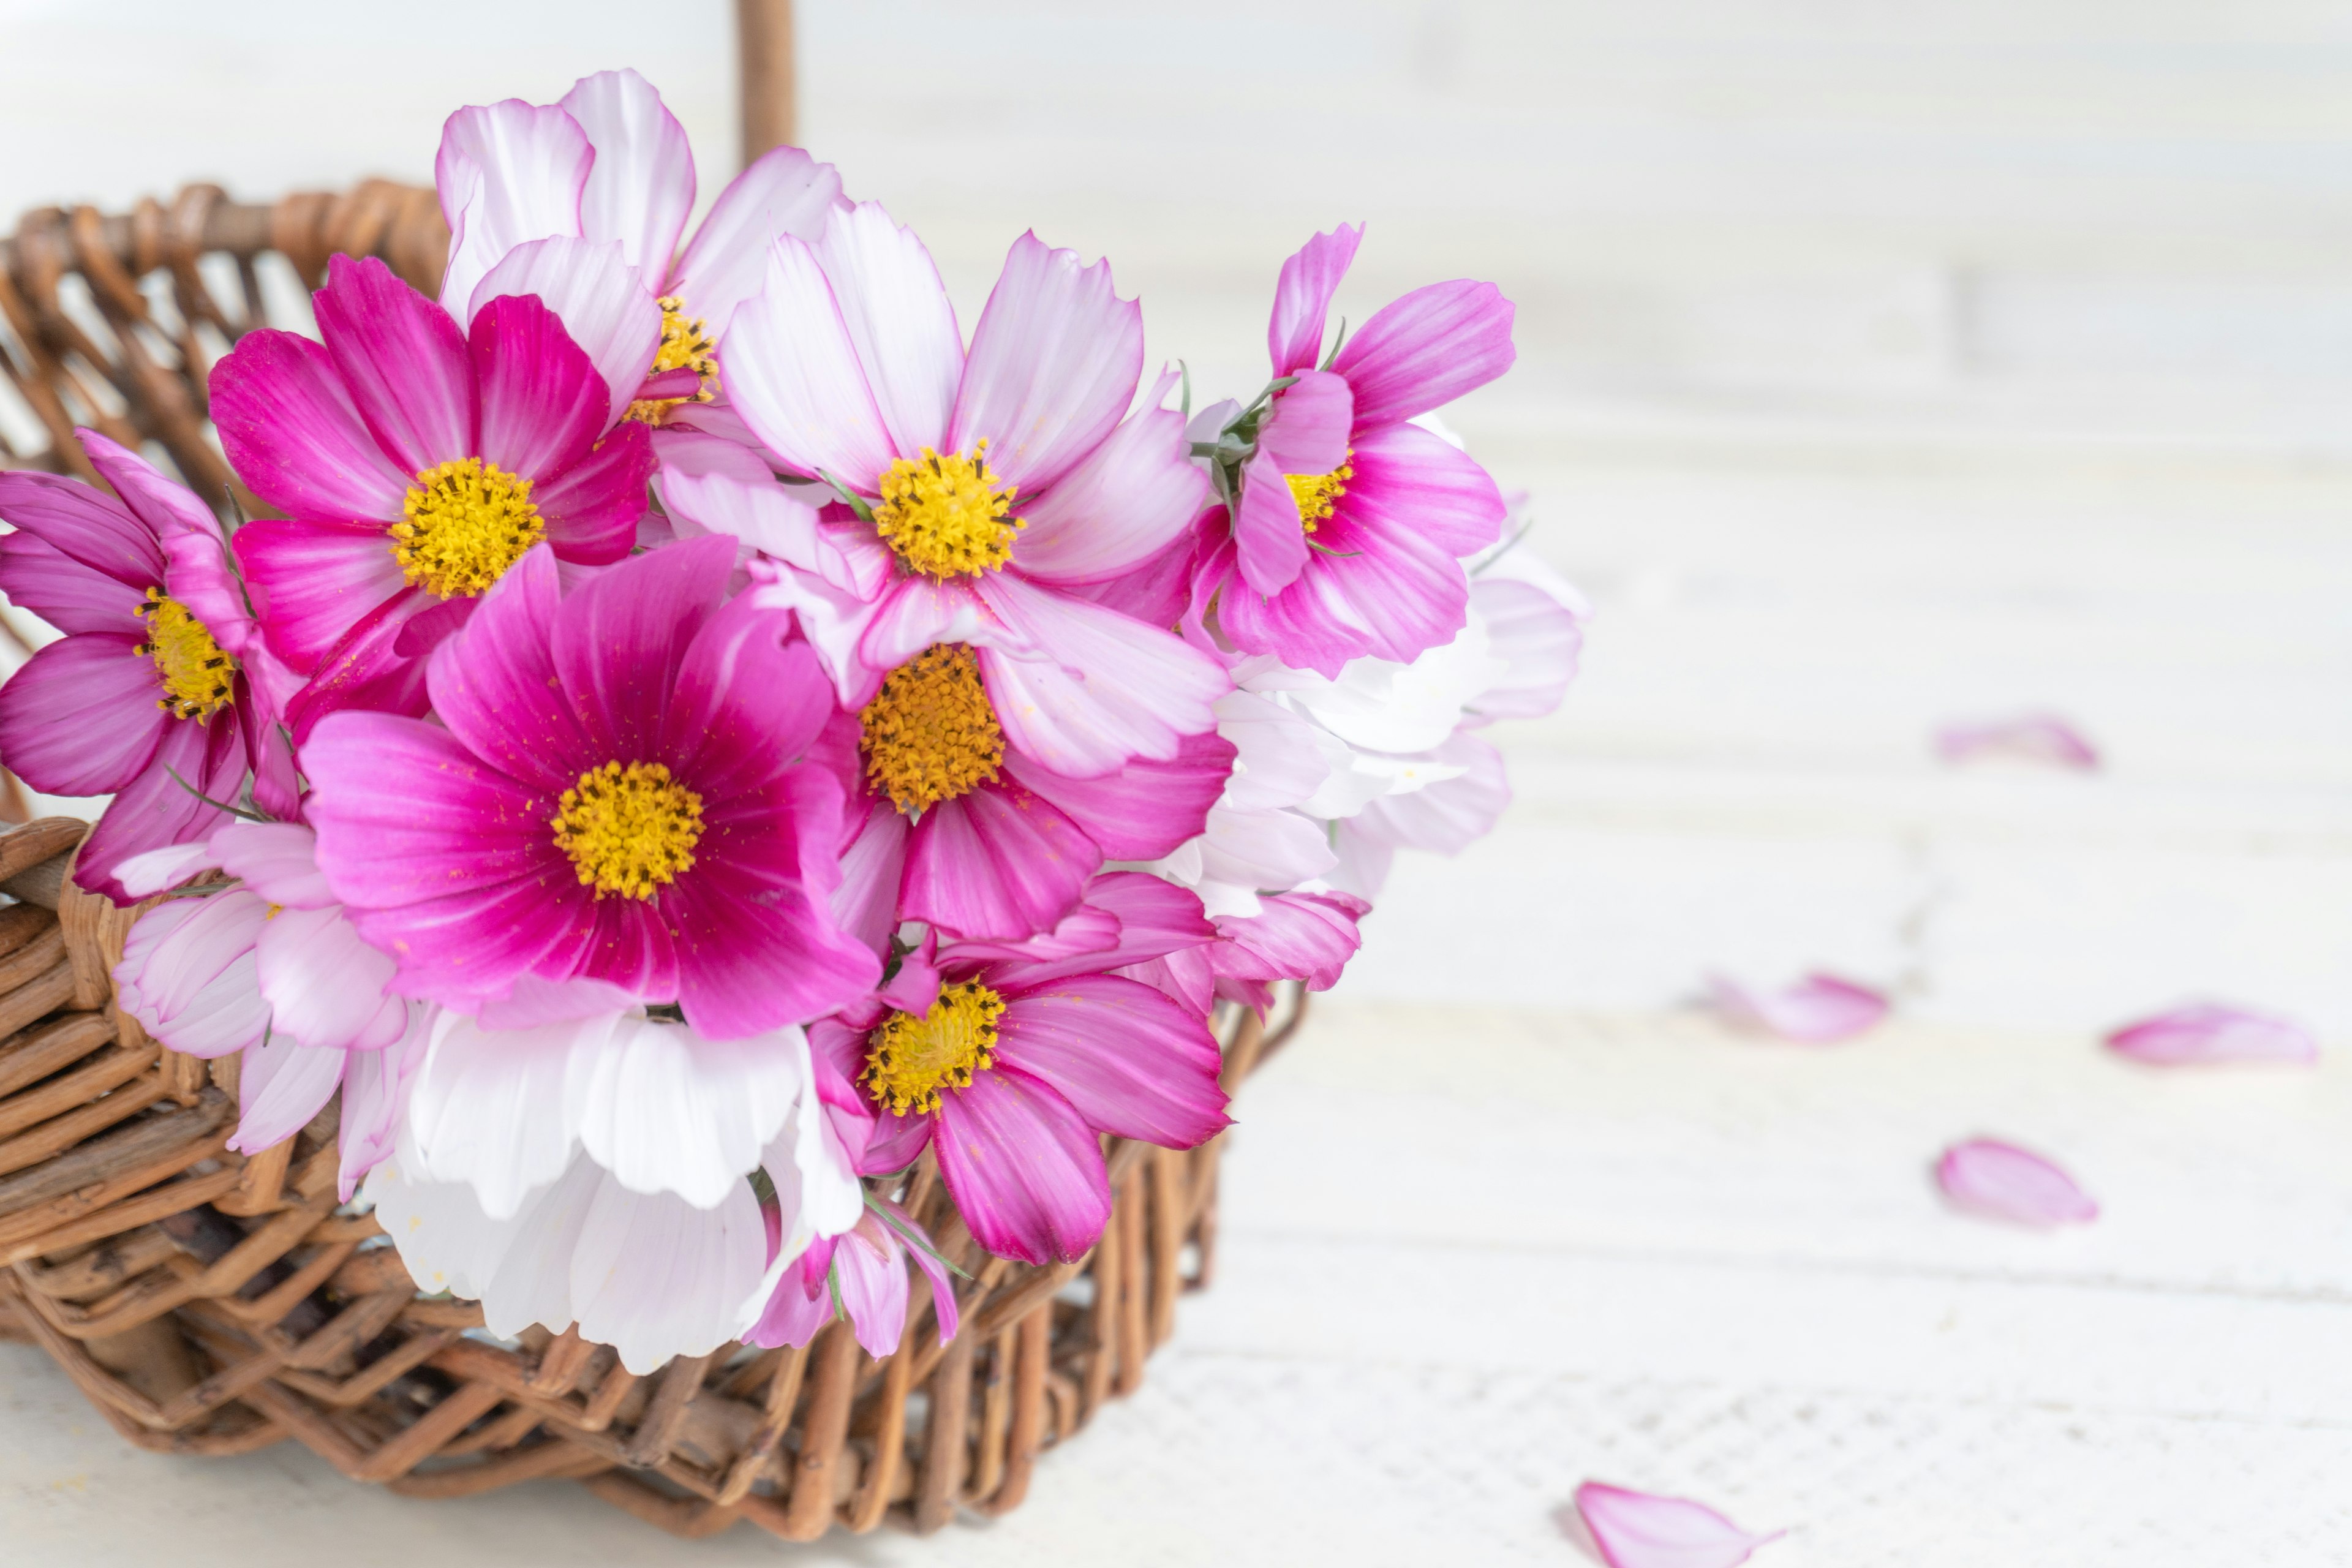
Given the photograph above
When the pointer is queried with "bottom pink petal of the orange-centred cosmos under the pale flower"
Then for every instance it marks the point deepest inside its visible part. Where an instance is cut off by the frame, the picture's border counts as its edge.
(998, 862)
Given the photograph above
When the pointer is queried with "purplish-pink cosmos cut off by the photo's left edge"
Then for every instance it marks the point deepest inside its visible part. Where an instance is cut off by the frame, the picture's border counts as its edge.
(161, 669)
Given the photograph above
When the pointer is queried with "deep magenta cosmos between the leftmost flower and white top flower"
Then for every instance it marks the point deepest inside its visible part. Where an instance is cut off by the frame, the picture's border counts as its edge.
(415, 464)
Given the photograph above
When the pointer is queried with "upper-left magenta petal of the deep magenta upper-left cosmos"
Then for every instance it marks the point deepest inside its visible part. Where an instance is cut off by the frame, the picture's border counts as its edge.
(295, 436)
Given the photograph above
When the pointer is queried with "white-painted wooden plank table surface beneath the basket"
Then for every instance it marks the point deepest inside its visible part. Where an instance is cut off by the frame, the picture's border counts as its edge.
(1876, 373)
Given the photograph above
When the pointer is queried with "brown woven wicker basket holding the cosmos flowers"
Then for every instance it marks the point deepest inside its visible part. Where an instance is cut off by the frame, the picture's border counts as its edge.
(213, 1304)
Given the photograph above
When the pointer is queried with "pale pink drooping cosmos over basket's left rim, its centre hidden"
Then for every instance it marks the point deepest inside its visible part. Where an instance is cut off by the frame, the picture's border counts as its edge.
(272, 970)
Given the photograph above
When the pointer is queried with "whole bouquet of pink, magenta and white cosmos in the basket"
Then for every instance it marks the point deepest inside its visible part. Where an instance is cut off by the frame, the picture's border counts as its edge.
(695, 732)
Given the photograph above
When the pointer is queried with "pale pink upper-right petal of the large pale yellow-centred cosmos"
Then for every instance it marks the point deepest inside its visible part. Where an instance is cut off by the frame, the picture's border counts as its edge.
(1053, 366)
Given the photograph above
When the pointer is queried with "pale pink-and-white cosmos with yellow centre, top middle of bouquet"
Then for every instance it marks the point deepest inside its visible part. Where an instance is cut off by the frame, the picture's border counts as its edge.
(989, 485)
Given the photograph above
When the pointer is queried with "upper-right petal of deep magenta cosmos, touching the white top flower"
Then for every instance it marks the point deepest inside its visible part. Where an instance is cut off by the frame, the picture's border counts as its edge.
(542, 398)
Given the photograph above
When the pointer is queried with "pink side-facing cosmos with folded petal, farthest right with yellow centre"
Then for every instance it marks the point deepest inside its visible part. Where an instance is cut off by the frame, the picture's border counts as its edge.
(1354, 523)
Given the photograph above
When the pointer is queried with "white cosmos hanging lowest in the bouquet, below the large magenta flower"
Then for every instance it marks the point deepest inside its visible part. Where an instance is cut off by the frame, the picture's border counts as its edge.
(594, 1165)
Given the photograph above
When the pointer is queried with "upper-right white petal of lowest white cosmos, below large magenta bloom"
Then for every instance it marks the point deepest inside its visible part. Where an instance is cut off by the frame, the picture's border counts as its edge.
(667, 1111)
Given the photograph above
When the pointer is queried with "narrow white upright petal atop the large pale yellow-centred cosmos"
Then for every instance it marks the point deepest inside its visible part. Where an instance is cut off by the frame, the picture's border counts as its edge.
(900, 321)
